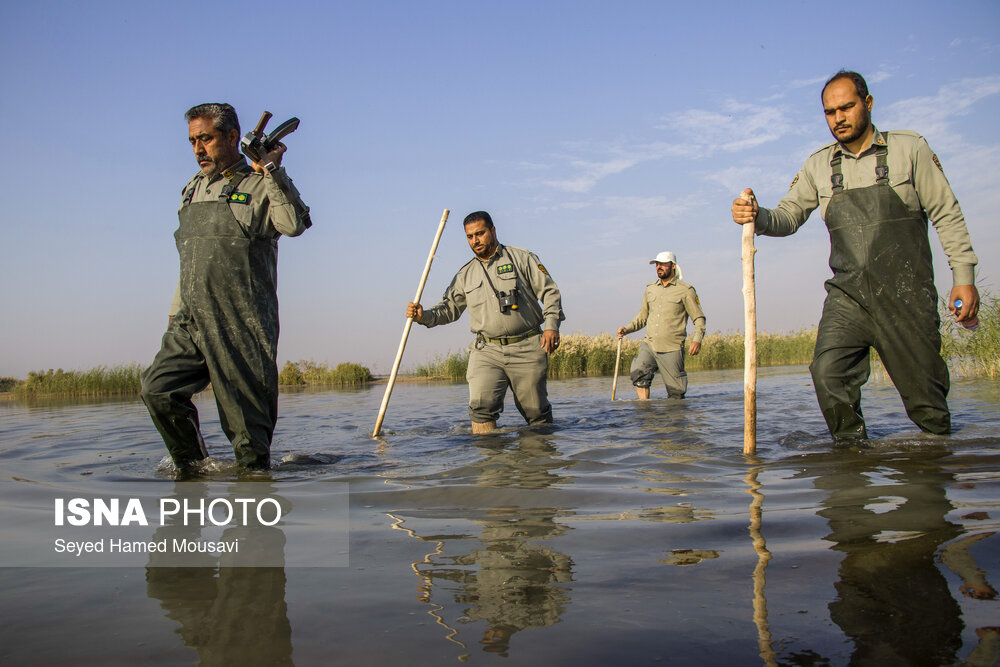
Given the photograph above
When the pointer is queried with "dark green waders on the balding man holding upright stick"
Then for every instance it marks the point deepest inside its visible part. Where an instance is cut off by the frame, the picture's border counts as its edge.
(881, 295)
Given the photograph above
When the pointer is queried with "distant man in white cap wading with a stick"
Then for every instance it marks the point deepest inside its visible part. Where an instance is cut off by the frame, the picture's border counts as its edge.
(667, 304)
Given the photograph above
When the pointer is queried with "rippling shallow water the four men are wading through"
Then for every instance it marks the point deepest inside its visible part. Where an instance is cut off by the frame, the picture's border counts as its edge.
(628, 532)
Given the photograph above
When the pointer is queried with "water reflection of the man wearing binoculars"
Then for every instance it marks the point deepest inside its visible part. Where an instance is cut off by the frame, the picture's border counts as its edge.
(513, 580)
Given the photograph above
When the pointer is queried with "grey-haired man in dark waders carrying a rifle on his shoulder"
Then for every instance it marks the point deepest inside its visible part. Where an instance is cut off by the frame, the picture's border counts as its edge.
(224, 319)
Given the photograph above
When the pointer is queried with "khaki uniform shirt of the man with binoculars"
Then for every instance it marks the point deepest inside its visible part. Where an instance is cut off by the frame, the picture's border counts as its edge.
(508, 267)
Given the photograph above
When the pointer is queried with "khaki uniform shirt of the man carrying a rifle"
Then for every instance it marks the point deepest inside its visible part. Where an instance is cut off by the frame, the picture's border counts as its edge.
(268, 207)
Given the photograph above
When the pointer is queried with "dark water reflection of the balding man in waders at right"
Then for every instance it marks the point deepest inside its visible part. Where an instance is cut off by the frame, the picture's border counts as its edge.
(887, 514)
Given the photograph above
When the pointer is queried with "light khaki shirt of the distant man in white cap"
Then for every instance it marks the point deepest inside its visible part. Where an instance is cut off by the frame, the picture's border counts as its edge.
(664, 312)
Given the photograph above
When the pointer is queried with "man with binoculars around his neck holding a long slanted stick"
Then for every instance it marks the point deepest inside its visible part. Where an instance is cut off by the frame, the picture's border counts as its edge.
(502, 287)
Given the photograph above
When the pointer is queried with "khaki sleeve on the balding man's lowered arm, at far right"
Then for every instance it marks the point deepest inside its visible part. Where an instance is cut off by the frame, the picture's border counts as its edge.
(938, 200)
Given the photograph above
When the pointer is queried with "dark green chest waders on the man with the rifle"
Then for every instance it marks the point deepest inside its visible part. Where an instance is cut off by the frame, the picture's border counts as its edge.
(226, 333)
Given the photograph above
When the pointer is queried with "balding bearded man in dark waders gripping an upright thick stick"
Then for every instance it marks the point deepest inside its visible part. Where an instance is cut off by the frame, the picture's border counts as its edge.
(876, 191)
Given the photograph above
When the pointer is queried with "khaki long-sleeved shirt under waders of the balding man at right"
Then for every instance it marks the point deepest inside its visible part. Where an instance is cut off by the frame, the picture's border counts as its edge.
(914, 173)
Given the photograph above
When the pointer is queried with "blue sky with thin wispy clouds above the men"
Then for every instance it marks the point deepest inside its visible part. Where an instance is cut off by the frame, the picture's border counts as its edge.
(596, 133)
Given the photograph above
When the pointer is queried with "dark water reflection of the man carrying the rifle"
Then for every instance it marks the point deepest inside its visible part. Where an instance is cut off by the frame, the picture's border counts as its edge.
(230, 615)
